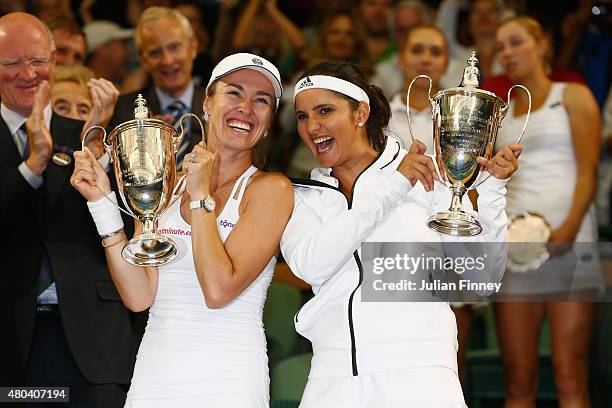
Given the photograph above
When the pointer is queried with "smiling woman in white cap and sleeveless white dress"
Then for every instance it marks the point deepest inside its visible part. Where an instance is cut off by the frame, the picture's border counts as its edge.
(204, 345)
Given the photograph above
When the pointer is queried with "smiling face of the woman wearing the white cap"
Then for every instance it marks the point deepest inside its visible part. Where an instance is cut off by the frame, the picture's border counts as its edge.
(240, 109)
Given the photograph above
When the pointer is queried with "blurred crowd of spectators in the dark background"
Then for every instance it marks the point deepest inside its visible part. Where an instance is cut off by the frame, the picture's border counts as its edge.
(298, 34)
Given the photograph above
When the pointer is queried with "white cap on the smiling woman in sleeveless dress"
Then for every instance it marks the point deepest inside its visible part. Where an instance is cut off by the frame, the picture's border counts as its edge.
(245, 60)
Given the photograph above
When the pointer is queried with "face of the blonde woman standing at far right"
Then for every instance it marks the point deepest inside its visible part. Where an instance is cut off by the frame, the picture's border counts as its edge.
(519, 52)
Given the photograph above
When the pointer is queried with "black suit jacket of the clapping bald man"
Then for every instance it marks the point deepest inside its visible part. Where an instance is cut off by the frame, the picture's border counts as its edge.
(54, 218)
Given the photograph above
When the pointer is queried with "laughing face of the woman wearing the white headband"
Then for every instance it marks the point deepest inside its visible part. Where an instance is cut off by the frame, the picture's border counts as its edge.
(329, 126)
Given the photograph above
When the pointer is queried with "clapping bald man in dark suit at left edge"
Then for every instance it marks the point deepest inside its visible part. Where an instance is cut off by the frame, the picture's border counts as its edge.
(63, 321)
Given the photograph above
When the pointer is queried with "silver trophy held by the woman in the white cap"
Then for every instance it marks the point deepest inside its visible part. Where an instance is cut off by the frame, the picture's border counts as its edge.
(143, 153)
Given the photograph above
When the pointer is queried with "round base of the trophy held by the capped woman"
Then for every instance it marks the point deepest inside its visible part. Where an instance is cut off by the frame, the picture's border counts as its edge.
(149, 250)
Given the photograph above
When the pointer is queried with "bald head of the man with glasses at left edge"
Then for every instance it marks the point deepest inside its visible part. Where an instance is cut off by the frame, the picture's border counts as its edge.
(26, 59)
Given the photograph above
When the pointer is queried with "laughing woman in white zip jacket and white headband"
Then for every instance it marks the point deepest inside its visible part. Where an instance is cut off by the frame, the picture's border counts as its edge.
(383, 354)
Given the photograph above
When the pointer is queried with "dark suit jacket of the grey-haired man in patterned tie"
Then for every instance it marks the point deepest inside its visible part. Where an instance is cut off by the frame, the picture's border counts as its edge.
(124, 110)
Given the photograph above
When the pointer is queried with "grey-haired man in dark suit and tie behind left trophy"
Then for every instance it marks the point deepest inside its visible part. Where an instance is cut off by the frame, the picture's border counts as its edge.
(167, 48)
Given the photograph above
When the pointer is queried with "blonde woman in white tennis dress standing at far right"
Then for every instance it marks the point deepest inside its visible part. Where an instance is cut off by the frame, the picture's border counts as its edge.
(561, 153)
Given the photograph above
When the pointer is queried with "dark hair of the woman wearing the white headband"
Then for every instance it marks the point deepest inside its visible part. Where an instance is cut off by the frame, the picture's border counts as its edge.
(380, 111)
